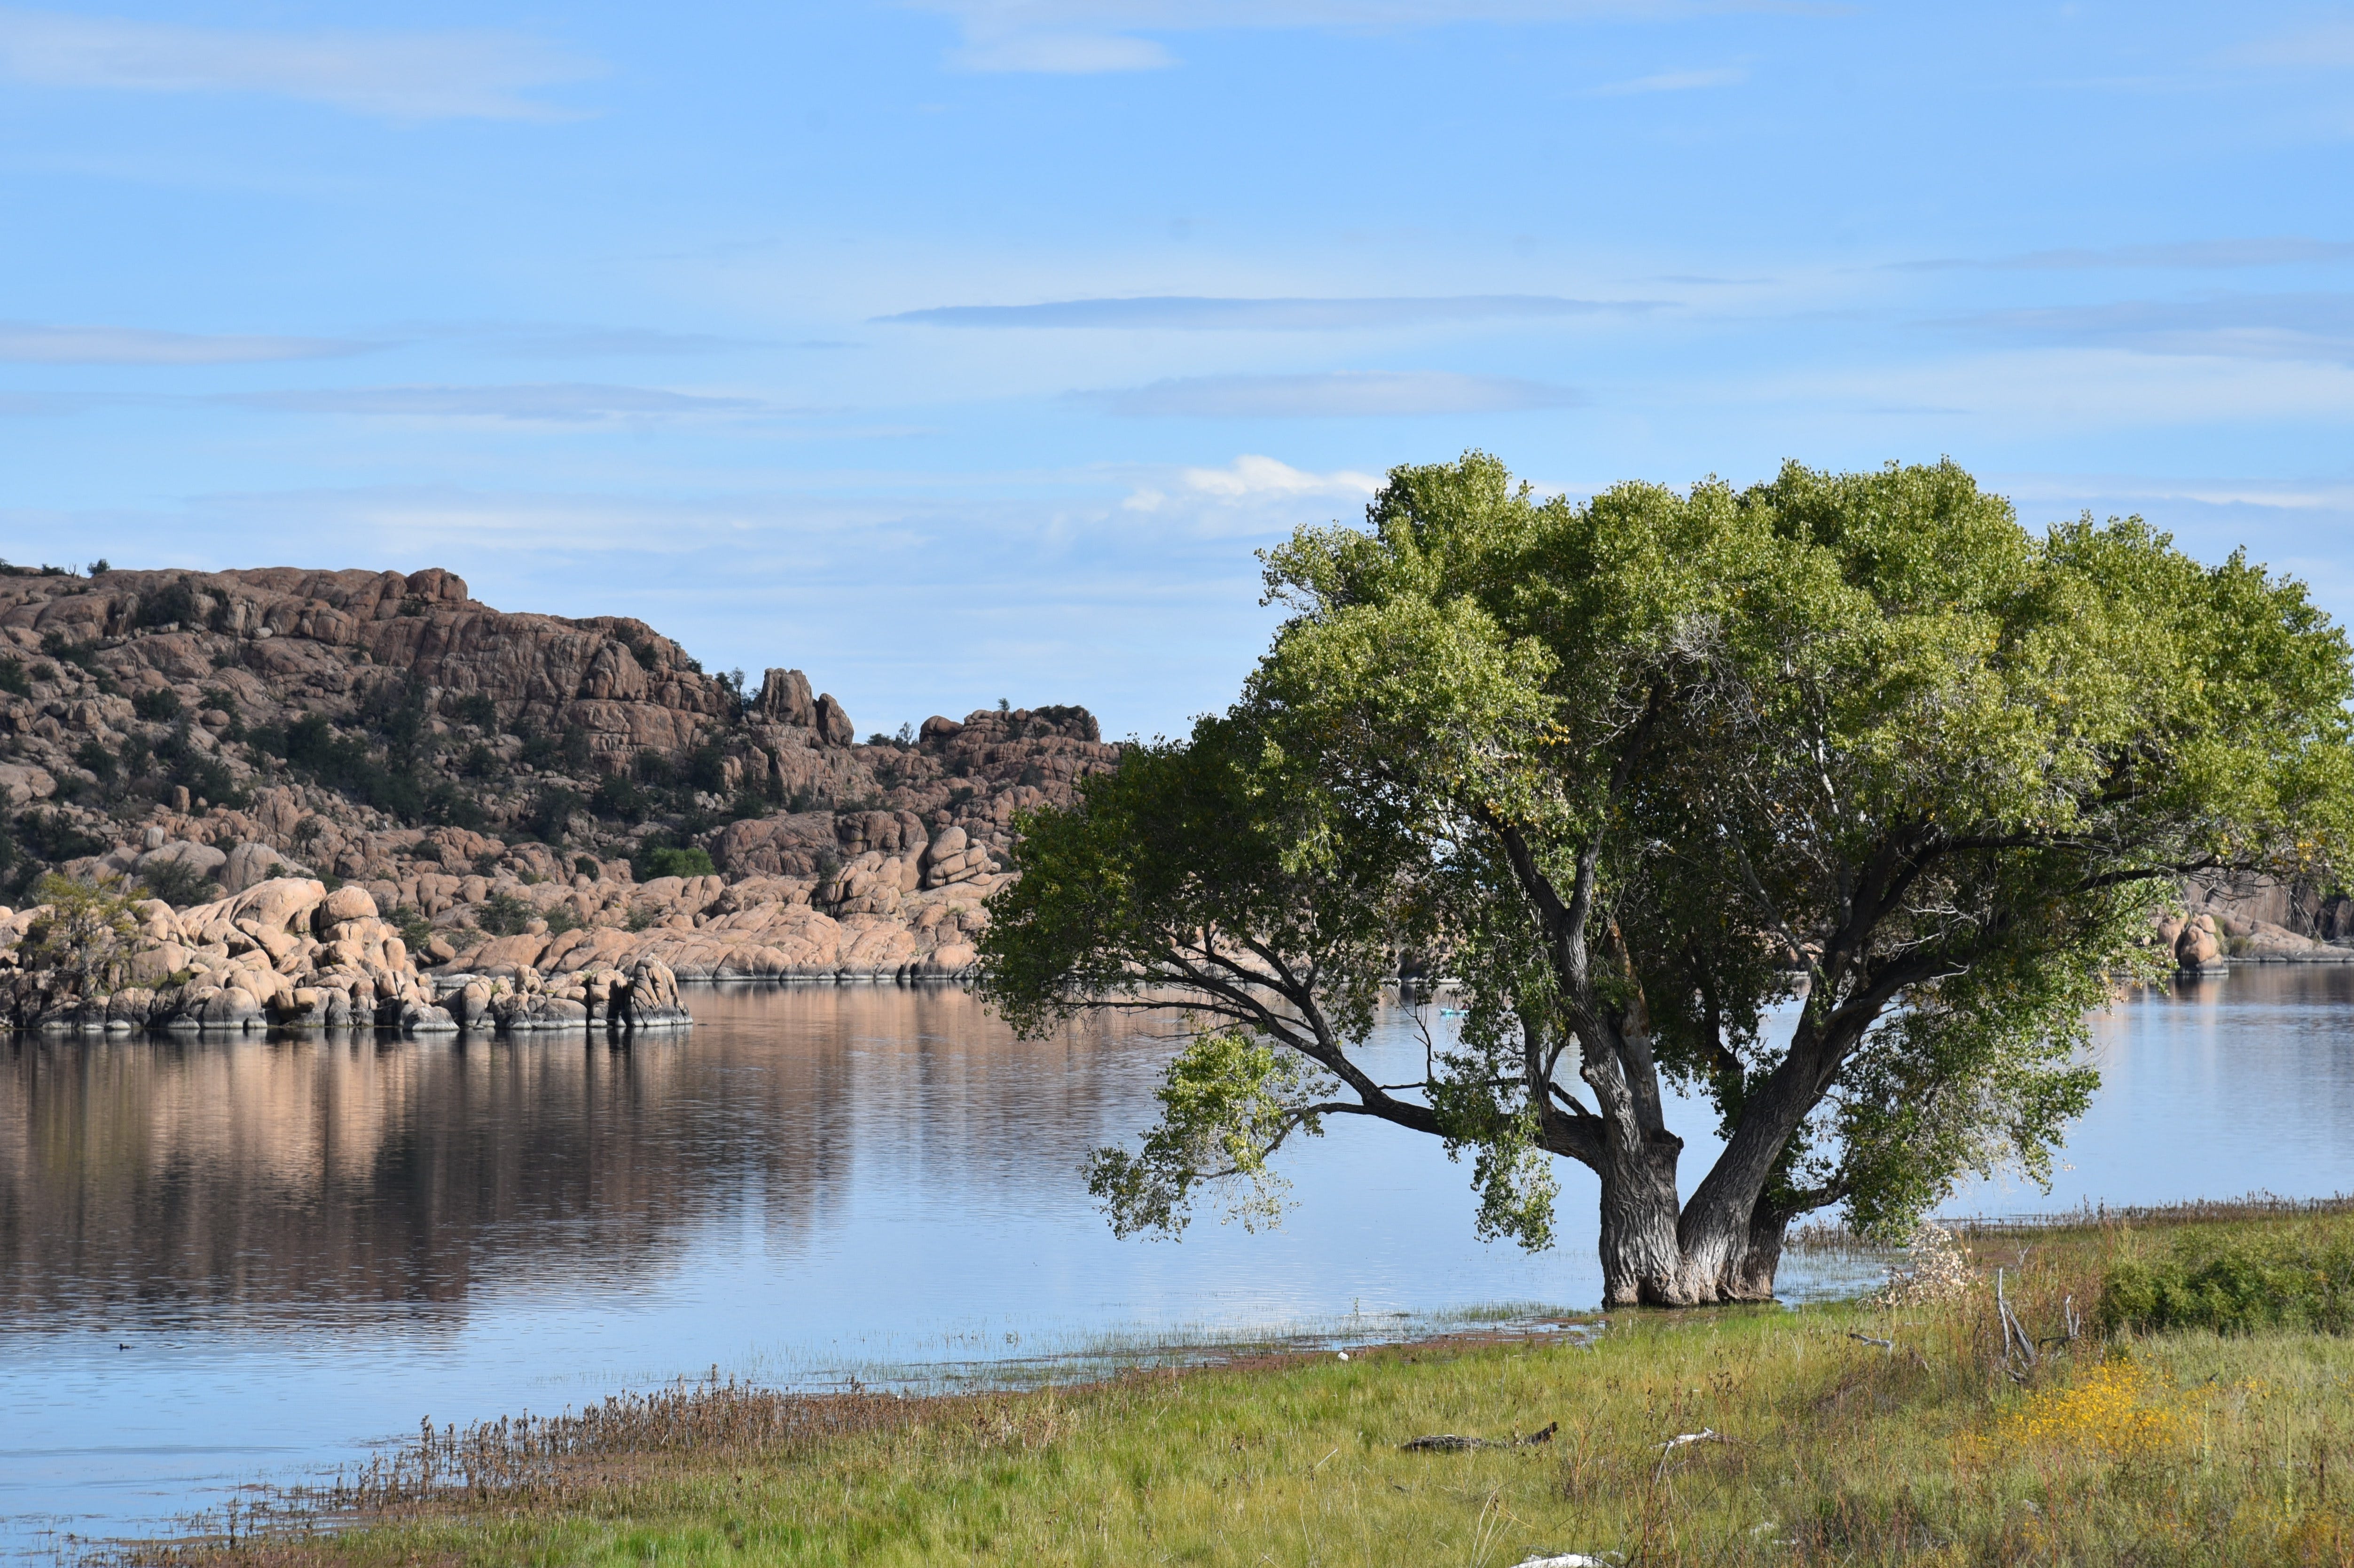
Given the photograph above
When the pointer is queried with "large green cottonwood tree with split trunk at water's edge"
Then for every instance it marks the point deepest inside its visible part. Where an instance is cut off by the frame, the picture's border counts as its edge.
(1835, 804)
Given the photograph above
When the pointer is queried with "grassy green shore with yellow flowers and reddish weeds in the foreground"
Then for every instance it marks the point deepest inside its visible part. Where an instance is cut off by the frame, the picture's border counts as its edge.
(2165, 1386)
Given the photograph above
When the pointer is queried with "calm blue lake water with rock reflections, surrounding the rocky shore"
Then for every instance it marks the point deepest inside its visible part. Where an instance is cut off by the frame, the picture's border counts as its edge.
(227, 1263)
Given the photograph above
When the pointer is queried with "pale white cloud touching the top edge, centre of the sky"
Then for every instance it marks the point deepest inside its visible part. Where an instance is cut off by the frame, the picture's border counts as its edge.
(1072, 36)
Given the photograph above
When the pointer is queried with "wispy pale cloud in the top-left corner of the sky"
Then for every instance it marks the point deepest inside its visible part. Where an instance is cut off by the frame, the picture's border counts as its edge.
(401, 77)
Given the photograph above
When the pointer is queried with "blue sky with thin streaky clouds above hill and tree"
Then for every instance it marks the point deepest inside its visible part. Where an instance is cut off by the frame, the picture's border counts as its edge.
(969, 350)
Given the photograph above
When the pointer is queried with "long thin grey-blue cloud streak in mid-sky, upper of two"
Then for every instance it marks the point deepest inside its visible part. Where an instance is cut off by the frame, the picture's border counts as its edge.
(1204, 314)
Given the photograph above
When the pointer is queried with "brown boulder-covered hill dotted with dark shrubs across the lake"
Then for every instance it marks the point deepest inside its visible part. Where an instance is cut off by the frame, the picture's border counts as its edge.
(514, 792)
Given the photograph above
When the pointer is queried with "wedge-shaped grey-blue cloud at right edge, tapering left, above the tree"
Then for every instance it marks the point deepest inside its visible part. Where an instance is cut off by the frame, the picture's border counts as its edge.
(2226, 326)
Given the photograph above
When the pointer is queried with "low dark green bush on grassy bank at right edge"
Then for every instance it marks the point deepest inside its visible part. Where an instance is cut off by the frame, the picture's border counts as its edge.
(2237, 1282)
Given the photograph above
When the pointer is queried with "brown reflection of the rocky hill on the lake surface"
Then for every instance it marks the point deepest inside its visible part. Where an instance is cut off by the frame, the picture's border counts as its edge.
(197, 1176)
